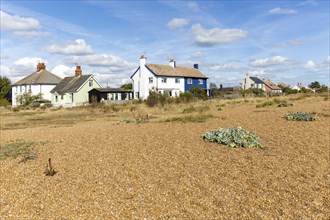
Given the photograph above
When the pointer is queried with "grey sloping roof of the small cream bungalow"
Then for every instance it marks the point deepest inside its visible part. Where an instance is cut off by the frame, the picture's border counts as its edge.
(70, 84)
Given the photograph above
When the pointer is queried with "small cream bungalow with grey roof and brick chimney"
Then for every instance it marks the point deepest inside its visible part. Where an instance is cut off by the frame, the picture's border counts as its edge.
(73, 91)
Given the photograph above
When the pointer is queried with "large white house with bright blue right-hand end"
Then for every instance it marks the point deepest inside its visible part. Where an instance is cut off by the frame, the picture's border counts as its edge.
(166, 79)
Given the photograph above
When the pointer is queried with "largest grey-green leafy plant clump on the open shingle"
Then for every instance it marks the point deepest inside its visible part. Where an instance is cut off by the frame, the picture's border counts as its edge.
(233, 137)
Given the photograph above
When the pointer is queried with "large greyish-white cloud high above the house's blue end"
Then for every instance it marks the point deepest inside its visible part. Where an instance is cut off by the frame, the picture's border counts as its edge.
(214, 36)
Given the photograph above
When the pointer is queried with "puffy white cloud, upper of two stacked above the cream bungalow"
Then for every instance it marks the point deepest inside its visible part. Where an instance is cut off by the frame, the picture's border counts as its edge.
(77, 47)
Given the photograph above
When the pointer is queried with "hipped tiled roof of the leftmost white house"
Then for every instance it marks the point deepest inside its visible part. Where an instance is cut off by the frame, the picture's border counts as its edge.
(39, 77)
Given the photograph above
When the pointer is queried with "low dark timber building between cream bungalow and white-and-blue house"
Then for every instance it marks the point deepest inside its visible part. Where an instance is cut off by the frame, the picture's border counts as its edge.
(98, 94)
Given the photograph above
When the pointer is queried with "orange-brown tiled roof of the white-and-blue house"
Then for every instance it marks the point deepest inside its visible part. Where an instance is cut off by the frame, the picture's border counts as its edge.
(166, 70)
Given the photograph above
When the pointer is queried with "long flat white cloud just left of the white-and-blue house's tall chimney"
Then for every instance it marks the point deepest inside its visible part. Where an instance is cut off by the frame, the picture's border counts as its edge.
(99, 60)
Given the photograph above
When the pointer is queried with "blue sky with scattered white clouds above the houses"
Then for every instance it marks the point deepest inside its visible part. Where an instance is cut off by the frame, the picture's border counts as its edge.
(285, 41)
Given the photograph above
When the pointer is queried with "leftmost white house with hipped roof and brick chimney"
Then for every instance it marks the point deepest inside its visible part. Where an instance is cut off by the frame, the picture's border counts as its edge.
(39, 82)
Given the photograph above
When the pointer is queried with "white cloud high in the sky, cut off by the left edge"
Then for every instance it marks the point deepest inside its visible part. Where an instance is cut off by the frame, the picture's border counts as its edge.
(16, 23)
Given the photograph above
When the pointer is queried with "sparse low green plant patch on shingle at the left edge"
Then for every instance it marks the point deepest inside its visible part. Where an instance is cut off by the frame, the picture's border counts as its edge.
(14, 149)
